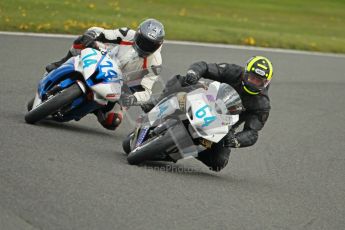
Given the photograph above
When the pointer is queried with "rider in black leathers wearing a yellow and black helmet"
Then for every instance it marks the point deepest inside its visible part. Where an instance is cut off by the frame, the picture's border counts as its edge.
(252, 83)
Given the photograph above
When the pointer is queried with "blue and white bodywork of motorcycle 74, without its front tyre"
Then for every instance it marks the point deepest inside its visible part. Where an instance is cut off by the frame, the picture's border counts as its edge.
(97, 75)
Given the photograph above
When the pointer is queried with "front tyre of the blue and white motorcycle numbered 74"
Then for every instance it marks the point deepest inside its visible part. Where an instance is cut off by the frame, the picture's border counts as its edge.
(53, 104)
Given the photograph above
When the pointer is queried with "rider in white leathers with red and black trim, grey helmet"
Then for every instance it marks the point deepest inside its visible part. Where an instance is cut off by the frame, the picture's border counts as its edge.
(137, 52)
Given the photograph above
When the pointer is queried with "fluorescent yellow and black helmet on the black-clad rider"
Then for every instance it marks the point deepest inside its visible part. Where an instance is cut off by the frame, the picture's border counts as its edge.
(257, 75)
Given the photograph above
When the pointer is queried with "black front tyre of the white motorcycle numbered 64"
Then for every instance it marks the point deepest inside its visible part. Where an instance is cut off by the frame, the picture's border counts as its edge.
(155, 146)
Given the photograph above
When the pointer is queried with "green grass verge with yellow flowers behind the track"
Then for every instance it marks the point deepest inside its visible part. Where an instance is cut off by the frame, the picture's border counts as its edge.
(316, 25)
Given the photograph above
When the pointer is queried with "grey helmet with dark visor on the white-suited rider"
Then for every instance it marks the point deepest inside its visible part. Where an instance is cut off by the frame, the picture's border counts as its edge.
(149, 37)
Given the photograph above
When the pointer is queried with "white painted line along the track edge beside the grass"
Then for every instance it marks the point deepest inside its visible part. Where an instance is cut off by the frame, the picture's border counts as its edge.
(214, 45)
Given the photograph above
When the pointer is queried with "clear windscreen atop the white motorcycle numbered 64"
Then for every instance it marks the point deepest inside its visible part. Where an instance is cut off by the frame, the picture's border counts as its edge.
(228, 100)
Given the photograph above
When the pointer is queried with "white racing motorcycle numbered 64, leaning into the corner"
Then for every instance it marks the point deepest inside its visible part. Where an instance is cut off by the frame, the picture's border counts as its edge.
(184, 123)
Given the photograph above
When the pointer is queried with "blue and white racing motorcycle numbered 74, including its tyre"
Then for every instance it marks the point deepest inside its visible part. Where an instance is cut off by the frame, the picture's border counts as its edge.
(80, 86)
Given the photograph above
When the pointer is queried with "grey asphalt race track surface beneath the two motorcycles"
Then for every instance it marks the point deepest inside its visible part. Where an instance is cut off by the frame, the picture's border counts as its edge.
(75, 175)
